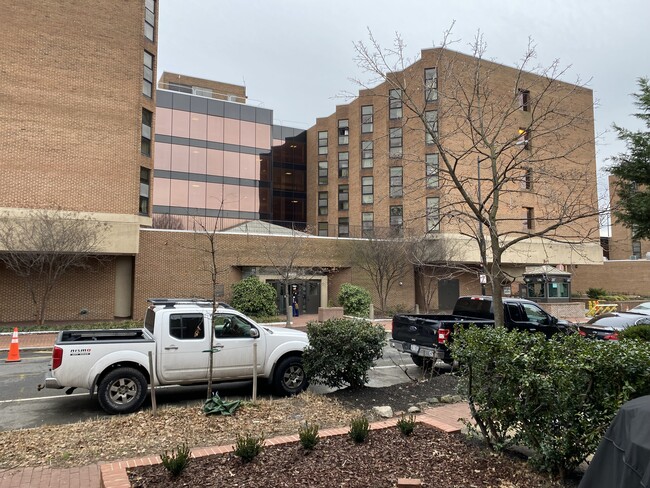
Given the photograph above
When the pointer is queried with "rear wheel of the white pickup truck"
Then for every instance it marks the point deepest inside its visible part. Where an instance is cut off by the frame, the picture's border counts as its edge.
(122, 390)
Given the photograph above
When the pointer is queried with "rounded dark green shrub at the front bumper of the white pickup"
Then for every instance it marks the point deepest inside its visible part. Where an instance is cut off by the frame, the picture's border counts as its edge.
(342, 351)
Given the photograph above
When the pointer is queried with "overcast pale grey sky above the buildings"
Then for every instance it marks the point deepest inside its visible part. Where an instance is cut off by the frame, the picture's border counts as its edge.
(296, 56)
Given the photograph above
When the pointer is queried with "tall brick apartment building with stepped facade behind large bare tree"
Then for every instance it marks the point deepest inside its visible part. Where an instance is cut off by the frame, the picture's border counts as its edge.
(373, 169)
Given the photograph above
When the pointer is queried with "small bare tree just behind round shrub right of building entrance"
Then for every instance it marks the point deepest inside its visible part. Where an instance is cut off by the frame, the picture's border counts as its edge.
(384, 256)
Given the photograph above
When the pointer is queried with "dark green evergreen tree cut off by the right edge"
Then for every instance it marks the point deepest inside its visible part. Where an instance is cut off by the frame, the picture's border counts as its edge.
(632, 170)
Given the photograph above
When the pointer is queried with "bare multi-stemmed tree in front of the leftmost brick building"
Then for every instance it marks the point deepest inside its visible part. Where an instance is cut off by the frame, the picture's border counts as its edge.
(43, 245)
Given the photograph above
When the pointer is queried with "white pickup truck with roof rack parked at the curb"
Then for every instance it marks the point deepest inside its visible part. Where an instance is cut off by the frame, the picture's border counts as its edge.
(116, 362)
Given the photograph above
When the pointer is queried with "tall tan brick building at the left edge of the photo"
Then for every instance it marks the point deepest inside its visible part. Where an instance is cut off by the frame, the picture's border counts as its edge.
(76, 127)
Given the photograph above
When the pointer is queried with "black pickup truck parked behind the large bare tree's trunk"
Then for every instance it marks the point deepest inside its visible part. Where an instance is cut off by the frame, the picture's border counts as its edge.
(425, 337)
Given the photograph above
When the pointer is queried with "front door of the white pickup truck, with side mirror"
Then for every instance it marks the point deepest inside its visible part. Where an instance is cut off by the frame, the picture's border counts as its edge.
(232, 336)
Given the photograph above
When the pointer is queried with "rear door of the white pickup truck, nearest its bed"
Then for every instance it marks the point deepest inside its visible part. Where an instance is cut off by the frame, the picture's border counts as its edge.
(181, 356)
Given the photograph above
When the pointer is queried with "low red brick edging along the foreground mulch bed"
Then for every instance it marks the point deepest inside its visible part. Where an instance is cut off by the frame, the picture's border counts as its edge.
(113, 475)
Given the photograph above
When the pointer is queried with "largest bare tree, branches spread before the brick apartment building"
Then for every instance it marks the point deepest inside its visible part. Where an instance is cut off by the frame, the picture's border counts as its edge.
(515, 148)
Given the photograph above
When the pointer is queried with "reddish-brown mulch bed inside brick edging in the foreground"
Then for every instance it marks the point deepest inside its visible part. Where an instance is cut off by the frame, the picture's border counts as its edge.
(436, 458)
